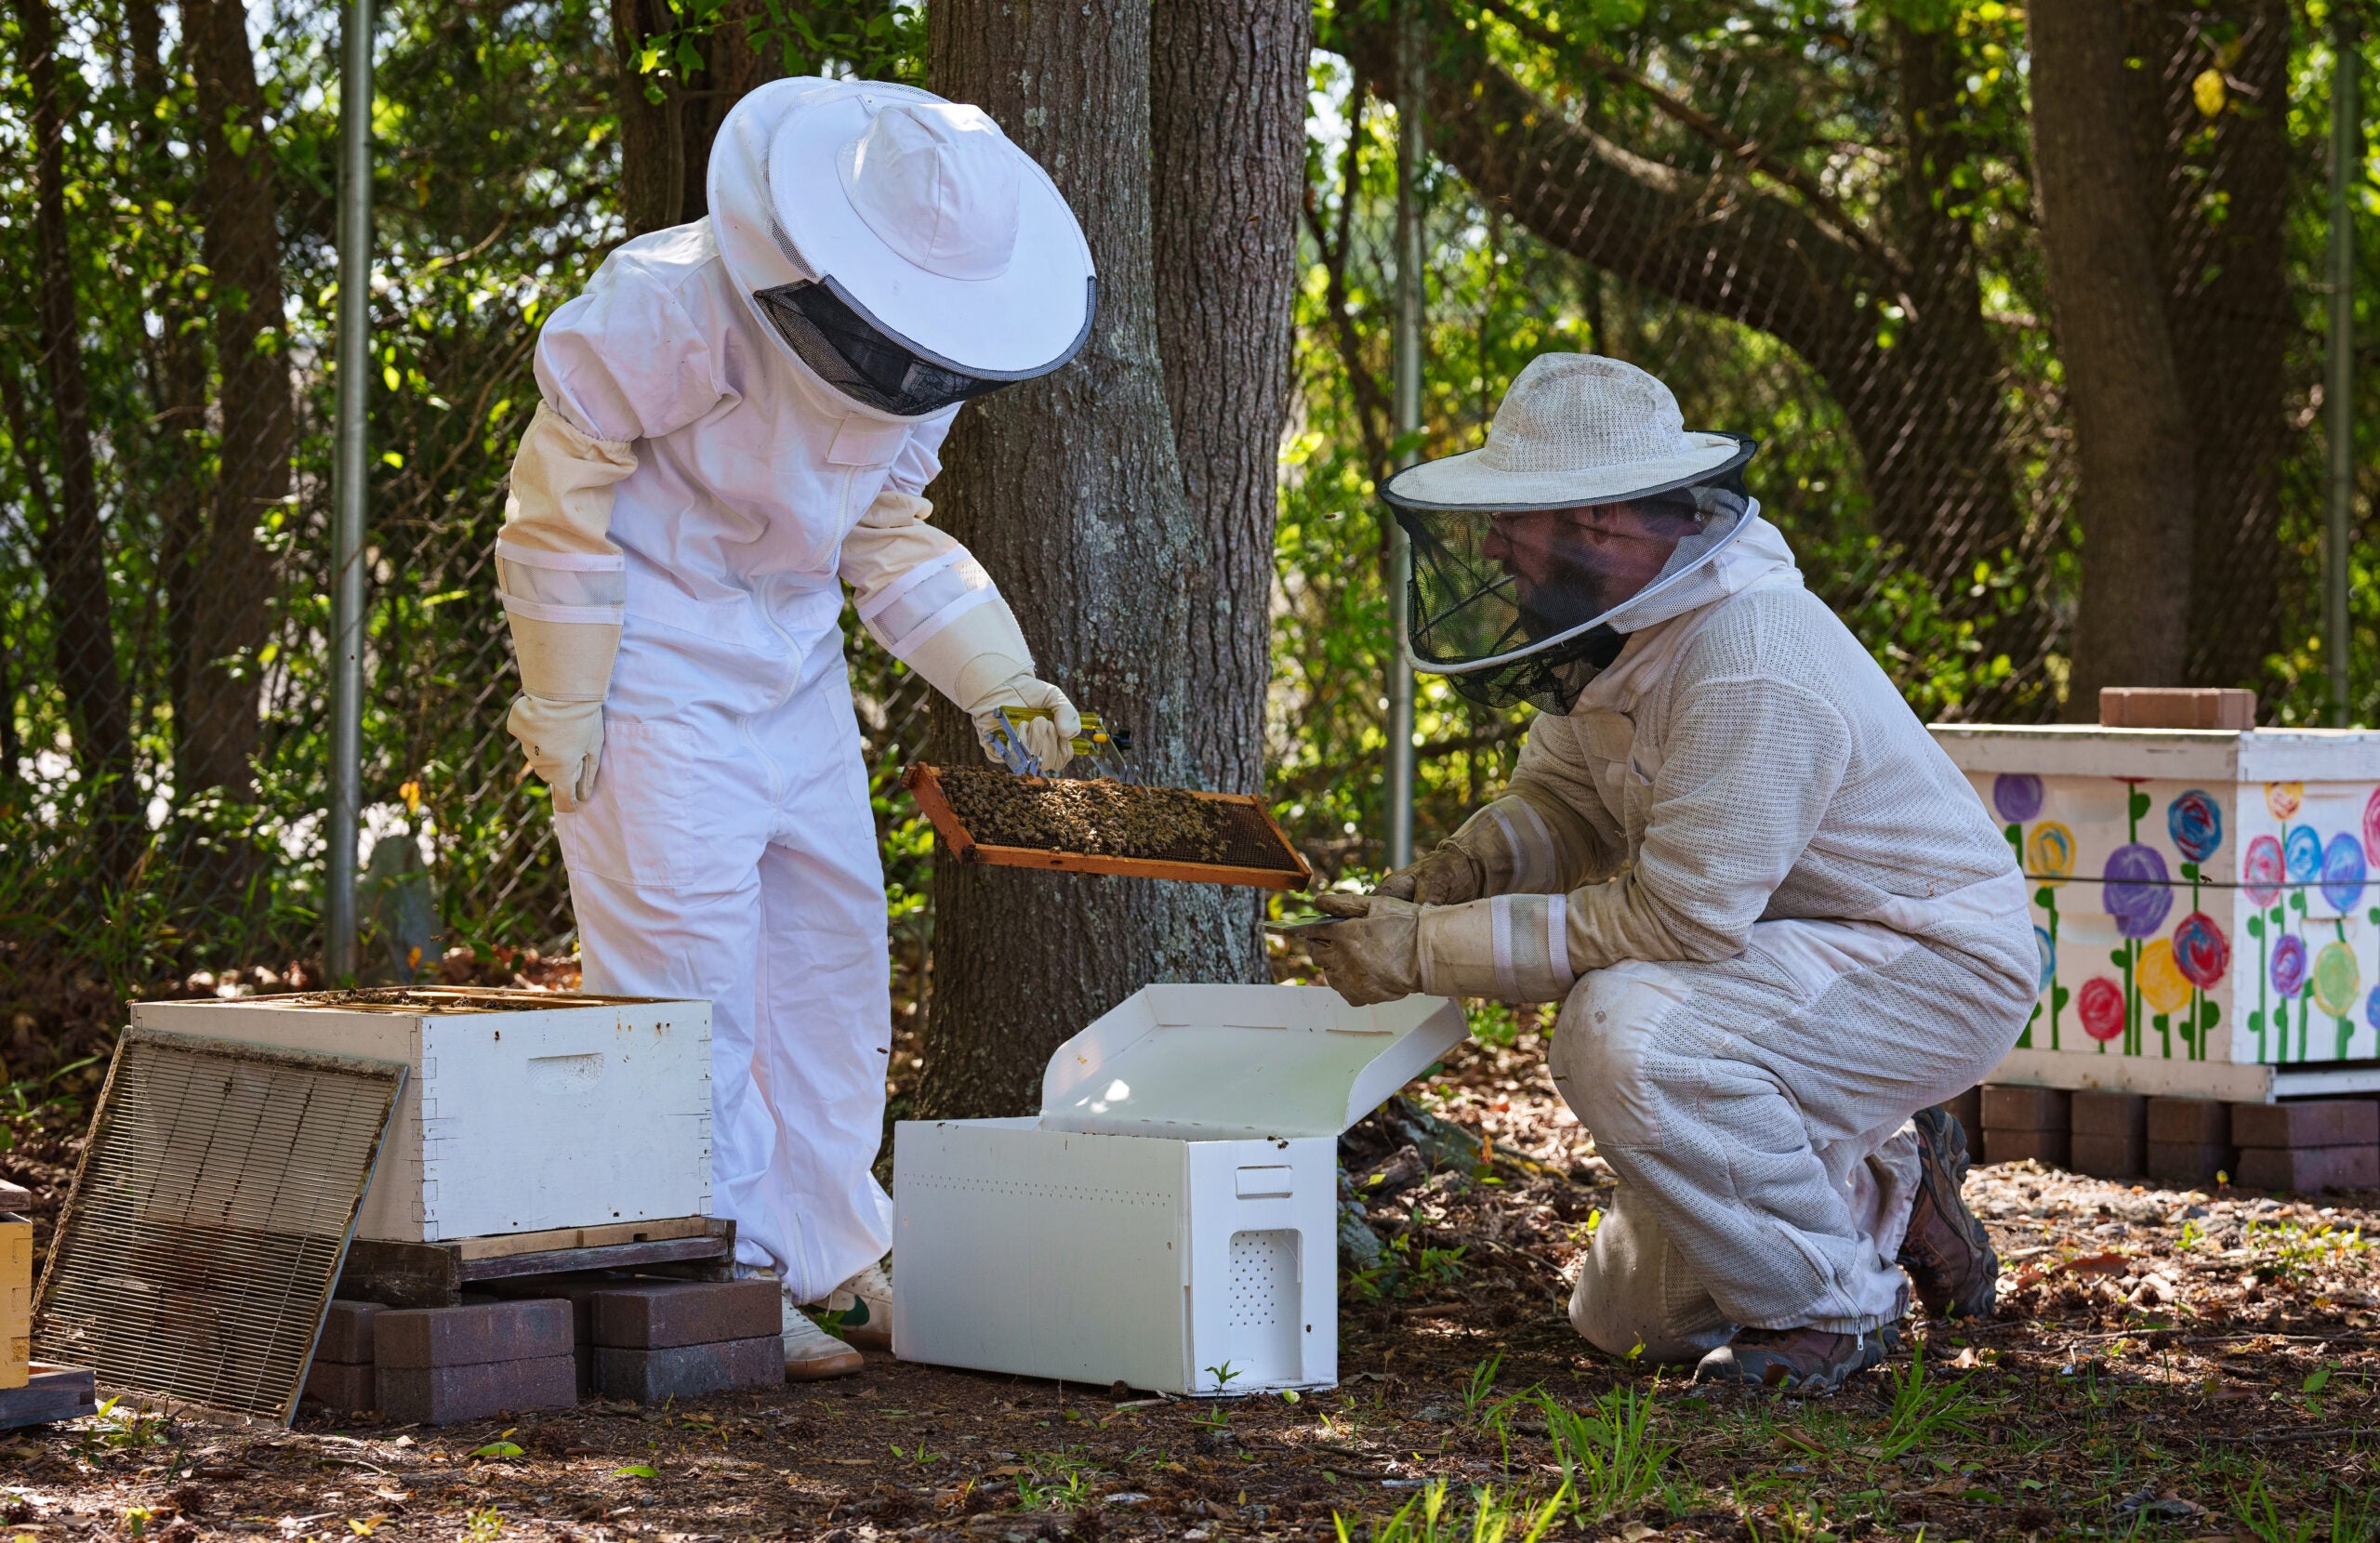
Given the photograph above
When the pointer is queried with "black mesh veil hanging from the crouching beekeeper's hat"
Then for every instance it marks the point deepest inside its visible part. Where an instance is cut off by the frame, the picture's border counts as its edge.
(1529, 606)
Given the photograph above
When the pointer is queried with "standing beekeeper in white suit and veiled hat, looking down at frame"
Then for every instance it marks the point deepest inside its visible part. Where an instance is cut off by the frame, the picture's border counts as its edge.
(739, 418)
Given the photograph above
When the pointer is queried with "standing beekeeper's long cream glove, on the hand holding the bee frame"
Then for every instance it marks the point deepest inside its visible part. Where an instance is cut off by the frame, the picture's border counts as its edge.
(939, 613)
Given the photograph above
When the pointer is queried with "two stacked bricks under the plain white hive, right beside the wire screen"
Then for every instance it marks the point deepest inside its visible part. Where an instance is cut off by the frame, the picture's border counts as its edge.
(441, 1366)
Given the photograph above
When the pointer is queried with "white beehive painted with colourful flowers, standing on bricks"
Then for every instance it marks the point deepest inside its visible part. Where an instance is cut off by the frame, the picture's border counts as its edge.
(2205, 901)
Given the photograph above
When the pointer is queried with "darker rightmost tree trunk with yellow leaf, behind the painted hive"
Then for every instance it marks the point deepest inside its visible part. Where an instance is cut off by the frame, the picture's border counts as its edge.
(2219, 196)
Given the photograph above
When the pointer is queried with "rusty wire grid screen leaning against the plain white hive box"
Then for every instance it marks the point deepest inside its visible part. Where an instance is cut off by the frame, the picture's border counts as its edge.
(206, 1230)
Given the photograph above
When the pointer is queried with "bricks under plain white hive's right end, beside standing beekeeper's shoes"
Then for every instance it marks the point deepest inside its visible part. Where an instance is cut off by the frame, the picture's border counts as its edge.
(682, 1339)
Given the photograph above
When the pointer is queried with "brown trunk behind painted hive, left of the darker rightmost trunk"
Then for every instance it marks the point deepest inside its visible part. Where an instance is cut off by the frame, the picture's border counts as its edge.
(2122, 382)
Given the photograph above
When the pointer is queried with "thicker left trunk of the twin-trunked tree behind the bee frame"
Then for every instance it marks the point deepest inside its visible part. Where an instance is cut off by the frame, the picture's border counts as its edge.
(1072, 494)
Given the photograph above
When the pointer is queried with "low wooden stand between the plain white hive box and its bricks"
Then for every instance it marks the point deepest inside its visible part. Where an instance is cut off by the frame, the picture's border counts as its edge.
(437, 1275)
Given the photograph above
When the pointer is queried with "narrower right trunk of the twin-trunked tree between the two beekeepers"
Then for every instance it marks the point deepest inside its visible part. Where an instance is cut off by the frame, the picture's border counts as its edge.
(1229, 123)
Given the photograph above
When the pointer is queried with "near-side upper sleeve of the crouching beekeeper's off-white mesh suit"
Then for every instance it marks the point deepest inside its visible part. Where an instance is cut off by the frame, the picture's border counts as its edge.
(1750, 770)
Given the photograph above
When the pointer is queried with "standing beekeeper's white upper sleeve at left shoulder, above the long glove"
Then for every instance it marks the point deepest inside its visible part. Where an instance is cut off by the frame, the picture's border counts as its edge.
(625, 361)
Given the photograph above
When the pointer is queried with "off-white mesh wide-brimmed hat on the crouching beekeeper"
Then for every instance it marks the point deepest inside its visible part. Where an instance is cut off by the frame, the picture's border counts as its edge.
(1574, 430)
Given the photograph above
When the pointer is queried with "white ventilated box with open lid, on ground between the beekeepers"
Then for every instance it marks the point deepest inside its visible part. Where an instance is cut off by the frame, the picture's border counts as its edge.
(1170, 1220)
